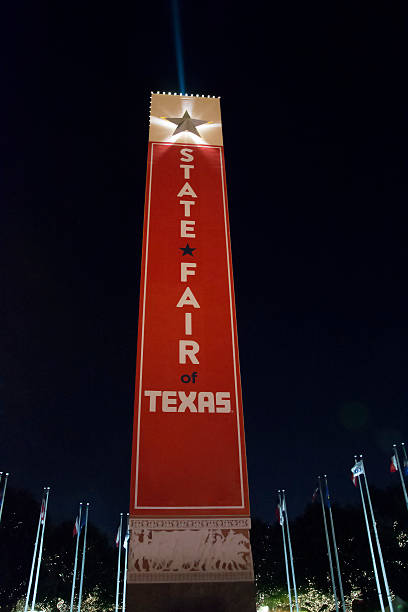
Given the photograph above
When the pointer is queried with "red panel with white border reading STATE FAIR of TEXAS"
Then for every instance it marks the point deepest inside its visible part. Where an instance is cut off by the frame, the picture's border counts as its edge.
(188, 439)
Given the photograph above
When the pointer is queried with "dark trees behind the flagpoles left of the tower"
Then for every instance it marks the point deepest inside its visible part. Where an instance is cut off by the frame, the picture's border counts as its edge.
(17, 537)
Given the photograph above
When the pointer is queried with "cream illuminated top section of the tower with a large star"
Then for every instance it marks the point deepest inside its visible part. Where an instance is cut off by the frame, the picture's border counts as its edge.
(185, 118)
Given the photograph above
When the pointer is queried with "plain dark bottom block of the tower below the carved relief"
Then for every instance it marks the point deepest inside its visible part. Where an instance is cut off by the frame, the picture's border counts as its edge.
(193, 597)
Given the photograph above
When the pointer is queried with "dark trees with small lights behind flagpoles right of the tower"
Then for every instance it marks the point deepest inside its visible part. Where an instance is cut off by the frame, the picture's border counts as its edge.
(311, 559)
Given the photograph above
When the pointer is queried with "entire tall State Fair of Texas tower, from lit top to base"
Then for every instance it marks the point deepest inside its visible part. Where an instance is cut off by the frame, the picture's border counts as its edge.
(189, 508)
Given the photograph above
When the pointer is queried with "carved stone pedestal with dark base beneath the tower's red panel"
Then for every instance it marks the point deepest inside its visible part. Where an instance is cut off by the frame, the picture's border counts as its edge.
(190, 565)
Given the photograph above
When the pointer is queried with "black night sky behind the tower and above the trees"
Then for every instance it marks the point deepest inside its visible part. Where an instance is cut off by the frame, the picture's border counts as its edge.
(314, 105)
